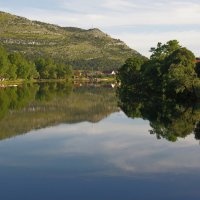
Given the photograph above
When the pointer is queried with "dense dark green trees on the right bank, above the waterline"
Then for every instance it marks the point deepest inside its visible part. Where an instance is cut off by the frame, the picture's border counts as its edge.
(171, 71)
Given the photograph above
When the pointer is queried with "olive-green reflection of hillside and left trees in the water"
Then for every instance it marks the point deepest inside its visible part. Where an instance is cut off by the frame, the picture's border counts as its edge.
(35, 106)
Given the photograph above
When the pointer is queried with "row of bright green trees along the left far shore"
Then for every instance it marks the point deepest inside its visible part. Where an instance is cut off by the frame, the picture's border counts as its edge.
(15, 66)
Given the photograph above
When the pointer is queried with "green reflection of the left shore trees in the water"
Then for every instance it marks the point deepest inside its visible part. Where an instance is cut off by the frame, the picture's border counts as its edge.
(16, 98)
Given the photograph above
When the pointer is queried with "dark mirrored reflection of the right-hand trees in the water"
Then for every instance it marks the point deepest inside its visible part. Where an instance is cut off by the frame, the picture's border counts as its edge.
(169, 118)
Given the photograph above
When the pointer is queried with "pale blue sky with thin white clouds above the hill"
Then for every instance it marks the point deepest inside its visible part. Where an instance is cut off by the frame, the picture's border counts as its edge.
(141, 24)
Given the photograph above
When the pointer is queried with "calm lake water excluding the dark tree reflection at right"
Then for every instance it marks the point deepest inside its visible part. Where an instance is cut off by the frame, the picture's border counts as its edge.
(70, 142)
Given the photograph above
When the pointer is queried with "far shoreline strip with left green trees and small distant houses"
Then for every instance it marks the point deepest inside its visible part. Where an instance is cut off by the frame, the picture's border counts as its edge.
(16, 69)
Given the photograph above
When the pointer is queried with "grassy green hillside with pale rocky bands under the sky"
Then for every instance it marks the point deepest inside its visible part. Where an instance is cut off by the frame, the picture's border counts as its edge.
(84, 49)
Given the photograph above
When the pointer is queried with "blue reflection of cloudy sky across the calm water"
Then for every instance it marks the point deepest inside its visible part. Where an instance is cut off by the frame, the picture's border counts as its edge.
(115, 152)
